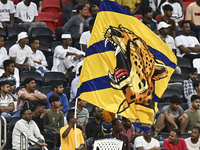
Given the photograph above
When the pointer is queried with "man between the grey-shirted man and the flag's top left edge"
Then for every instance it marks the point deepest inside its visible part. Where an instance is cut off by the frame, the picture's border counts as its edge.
(93, 11)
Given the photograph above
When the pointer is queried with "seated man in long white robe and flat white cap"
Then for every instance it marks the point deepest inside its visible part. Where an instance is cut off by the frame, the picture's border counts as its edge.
(66, 58)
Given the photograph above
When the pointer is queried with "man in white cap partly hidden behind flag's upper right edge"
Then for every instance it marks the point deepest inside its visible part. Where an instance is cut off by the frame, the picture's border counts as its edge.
(163, 29)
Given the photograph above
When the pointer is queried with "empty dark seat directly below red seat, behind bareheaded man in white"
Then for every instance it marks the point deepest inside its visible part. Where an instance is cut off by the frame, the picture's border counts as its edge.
(43, 34)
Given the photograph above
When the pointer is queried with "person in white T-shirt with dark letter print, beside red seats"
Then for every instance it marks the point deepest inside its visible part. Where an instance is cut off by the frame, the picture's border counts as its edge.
(25, 14)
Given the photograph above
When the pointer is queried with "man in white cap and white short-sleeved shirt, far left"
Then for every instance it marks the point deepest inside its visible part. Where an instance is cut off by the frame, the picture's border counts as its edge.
(20, 52)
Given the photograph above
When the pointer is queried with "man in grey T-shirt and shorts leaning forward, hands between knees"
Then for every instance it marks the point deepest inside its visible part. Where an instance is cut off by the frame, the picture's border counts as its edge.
(175, 115)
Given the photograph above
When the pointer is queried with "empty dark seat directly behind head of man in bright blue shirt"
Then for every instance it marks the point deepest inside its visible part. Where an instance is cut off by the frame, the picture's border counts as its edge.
(50, 77)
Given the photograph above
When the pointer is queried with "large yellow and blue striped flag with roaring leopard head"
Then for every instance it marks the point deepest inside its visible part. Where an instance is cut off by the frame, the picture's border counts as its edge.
(127, 67)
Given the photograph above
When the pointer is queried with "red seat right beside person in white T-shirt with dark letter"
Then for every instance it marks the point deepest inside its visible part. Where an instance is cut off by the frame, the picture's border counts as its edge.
(48, 18)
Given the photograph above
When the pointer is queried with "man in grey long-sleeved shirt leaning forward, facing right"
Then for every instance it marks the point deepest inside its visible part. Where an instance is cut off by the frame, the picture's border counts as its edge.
(75, 25)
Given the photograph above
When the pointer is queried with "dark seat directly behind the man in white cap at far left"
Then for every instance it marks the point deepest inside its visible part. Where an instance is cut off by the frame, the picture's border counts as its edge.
(14, 31)
